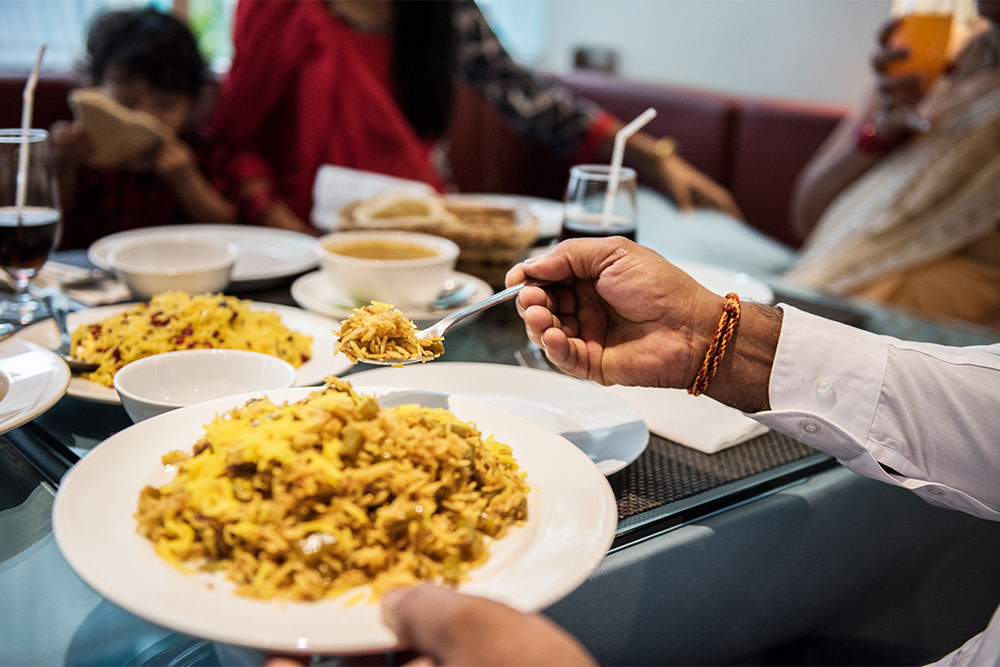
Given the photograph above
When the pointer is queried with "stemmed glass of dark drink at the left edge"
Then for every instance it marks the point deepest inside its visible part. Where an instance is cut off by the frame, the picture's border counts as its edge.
(29, 232)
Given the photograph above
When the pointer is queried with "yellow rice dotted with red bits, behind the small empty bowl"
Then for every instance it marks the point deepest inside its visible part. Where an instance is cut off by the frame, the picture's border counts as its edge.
(179, 321)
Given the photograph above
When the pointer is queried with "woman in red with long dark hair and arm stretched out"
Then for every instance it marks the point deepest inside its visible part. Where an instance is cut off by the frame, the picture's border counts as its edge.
(368, 85)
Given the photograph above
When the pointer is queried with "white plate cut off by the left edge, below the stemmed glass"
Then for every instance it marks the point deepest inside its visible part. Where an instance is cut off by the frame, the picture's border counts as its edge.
(32, 379)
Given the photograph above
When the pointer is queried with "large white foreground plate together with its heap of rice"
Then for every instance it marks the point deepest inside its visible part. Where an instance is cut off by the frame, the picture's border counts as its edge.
(564, 522)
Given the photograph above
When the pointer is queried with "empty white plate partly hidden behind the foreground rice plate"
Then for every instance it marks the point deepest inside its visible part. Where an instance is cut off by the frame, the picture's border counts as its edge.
(603, 426)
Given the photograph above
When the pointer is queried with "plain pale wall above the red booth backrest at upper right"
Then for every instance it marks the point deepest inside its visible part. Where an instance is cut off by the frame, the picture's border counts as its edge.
(815, 50)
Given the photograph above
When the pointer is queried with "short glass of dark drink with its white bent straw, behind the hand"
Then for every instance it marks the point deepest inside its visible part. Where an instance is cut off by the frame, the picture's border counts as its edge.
(600, 199)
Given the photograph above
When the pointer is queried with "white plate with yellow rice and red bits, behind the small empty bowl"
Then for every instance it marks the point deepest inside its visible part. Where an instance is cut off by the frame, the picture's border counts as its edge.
(115, 335)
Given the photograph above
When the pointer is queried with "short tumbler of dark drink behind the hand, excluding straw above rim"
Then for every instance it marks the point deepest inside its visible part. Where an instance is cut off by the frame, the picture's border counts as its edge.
(586, 192)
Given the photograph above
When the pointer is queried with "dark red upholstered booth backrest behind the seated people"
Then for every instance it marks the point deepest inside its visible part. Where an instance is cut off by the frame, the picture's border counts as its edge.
(756, 148)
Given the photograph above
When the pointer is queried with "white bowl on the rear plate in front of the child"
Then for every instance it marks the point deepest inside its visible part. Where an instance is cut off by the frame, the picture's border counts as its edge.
(185, 263)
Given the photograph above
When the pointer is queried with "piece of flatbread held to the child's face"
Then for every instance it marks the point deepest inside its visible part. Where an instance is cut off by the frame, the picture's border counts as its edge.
(118, 136)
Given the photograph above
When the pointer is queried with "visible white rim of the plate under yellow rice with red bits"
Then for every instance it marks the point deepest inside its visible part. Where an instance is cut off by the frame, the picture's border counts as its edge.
(321, 360)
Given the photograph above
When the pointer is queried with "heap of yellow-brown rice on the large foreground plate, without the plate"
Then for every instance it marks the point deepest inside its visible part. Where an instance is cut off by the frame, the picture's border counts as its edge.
(307, 500)
